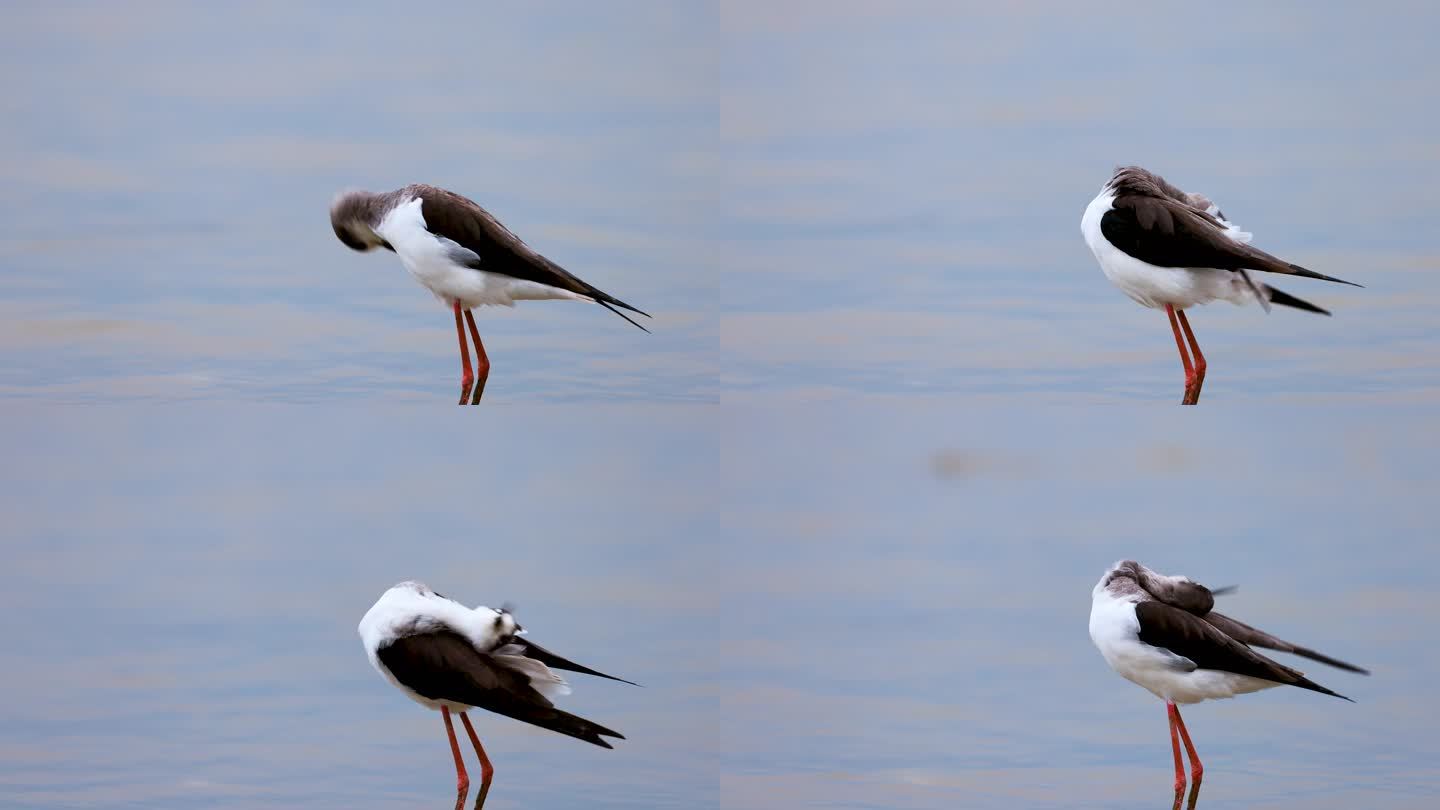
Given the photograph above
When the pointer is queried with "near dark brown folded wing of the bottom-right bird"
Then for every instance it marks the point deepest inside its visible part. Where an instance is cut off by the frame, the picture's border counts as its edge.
(1189, 636)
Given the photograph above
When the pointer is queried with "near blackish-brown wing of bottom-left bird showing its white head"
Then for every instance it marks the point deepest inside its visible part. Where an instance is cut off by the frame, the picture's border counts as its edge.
(443, 665)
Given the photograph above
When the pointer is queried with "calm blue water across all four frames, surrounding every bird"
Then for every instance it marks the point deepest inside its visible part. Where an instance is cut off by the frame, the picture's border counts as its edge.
(840, 515)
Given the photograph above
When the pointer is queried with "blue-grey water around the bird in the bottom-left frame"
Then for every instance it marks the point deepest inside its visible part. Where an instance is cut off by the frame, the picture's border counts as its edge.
(185, 589)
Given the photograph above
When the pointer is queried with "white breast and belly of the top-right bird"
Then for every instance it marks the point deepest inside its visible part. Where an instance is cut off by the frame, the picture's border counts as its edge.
(1153, 286)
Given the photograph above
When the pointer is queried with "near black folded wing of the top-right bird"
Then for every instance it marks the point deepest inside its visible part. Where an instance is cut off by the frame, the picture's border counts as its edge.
(1167, 233)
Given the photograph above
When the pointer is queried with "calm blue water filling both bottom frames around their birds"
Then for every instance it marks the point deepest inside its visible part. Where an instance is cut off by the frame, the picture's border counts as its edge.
(836, 607)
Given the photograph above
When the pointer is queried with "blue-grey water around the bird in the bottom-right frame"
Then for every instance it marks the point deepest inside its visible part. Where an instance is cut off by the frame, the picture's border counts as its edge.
(918, 586)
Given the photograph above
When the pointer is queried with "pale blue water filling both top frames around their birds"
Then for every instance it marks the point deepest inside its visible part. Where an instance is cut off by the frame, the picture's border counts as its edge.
(814, 200)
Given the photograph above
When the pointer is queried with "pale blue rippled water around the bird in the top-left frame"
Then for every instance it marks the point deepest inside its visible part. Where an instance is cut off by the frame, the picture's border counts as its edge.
(202, 175)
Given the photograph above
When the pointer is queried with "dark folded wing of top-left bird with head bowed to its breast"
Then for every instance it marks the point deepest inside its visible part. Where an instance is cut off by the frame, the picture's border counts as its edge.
(496, 250)
